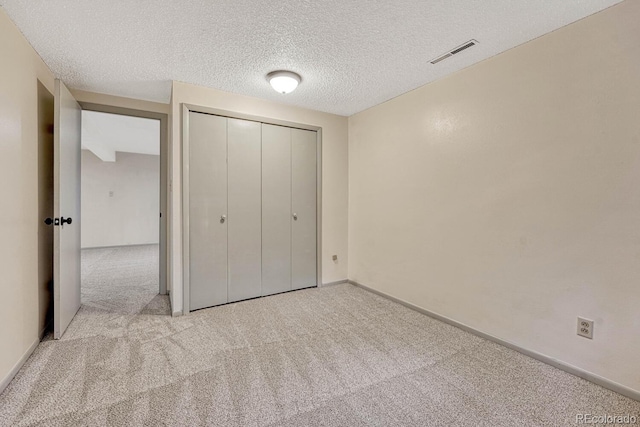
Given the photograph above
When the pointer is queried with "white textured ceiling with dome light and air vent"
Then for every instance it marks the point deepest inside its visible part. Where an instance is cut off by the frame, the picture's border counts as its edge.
(351, 54)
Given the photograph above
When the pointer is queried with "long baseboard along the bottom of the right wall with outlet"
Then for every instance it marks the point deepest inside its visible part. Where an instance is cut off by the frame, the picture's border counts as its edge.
(574, 370)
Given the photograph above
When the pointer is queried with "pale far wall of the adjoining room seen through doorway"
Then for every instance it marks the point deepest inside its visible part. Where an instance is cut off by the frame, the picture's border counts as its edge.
(120, 200)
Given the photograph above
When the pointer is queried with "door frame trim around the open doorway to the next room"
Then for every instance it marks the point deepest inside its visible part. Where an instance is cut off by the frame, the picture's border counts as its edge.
(164, 172)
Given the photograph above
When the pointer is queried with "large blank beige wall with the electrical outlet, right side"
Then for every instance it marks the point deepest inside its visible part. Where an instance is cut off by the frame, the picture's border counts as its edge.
(507, 196)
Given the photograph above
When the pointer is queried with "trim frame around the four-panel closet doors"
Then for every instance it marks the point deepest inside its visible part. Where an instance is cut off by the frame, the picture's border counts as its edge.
(188, 108)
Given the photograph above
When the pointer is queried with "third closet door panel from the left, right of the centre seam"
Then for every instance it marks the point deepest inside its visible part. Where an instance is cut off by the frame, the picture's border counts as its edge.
(276, 209)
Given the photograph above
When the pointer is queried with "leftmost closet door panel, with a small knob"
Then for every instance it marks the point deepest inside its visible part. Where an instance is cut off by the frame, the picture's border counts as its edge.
(207, 210)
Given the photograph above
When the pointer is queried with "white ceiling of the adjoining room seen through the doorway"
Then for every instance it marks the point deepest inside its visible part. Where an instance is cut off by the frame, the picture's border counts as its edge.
(105, 134)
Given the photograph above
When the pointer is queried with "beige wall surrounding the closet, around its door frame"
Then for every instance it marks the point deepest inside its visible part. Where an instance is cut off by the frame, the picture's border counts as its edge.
(334, 171)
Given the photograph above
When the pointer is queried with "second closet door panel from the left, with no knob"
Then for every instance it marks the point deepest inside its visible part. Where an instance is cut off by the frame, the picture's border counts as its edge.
(245, 210)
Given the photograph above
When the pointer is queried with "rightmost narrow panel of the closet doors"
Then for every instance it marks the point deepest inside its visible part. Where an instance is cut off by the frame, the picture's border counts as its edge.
(303, 206)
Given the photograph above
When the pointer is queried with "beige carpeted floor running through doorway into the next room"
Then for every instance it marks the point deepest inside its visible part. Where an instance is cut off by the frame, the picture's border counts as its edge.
(333, 356)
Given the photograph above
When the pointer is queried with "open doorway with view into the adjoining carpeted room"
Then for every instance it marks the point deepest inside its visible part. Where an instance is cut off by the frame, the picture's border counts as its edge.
(123, 207)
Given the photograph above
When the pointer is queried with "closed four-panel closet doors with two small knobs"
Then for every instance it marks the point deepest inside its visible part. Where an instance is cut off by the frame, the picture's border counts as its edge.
(252, 209)
